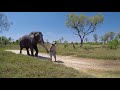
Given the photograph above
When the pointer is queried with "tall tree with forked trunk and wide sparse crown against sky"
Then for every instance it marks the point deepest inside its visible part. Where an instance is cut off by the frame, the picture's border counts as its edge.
(83, 25)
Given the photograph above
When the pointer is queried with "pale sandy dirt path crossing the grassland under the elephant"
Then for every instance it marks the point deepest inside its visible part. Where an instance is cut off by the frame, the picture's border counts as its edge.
(80, 63)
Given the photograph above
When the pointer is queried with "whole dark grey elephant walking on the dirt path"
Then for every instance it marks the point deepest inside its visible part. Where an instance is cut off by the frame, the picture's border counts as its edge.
(31, 41)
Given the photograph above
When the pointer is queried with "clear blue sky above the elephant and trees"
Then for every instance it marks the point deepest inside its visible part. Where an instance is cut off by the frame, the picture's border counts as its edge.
(53, 26)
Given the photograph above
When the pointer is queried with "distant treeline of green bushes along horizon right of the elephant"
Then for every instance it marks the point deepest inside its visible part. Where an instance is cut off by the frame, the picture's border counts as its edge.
(109, 40)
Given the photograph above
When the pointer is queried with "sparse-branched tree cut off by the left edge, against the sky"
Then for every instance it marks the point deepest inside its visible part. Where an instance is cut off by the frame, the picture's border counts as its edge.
(4, 23)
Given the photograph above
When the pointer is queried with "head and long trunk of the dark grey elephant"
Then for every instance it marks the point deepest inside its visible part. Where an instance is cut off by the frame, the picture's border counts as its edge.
(38, 37)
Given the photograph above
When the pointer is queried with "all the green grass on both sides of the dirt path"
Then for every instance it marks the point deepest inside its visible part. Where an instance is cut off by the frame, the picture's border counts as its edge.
(12, 65)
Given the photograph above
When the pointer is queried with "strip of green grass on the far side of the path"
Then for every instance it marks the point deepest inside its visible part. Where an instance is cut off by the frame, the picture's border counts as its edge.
(87, 51)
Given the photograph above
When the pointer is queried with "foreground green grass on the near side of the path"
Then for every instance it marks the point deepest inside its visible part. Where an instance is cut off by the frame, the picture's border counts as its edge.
(21, 66)
